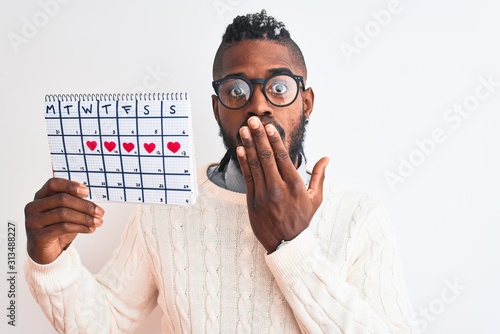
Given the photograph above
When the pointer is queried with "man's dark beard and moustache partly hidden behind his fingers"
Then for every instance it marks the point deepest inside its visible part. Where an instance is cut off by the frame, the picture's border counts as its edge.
(296, 146)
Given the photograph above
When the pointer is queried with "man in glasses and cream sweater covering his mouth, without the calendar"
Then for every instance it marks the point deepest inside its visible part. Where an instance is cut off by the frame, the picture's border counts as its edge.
(264, 249)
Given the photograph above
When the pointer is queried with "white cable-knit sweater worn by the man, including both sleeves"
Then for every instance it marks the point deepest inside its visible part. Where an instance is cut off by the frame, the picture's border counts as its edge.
(207, 272)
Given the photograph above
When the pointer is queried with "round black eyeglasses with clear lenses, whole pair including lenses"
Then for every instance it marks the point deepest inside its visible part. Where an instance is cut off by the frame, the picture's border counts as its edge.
(281, 90)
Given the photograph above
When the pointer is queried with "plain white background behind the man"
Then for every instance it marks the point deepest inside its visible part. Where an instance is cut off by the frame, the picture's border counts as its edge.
(370, 109)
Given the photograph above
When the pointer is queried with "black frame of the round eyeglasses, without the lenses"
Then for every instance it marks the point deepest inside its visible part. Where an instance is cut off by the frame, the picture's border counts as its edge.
(251, 82)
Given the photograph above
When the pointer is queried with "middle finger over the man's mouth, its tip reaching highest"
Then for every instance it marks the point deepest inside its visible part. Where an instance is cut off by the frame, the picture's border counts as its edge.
(265, 152)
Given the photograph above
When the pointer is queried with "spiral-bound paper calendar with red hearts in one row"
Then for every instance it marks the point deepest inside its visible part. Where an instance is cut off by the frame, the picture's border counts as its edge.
(124, 147)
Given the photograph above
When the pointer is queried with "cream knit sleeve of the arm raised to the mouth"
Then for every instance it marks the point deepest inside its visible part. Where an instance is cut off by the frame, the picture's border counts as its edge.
(366, 297)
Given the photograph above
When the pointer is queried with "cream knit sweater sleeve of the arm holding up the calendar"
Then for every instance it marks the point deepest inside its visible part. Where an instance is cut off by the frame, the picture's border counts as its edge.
(116, 300)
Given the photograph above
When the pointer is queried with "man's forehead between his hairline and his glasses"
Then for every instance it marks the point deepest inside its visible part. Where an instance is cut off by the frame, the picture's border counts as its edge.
(257, 58)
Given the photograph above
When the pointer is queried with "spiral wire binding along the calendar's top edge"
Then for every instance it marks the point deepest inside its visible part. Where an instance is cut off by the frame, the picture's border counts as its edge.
(116, 96)
